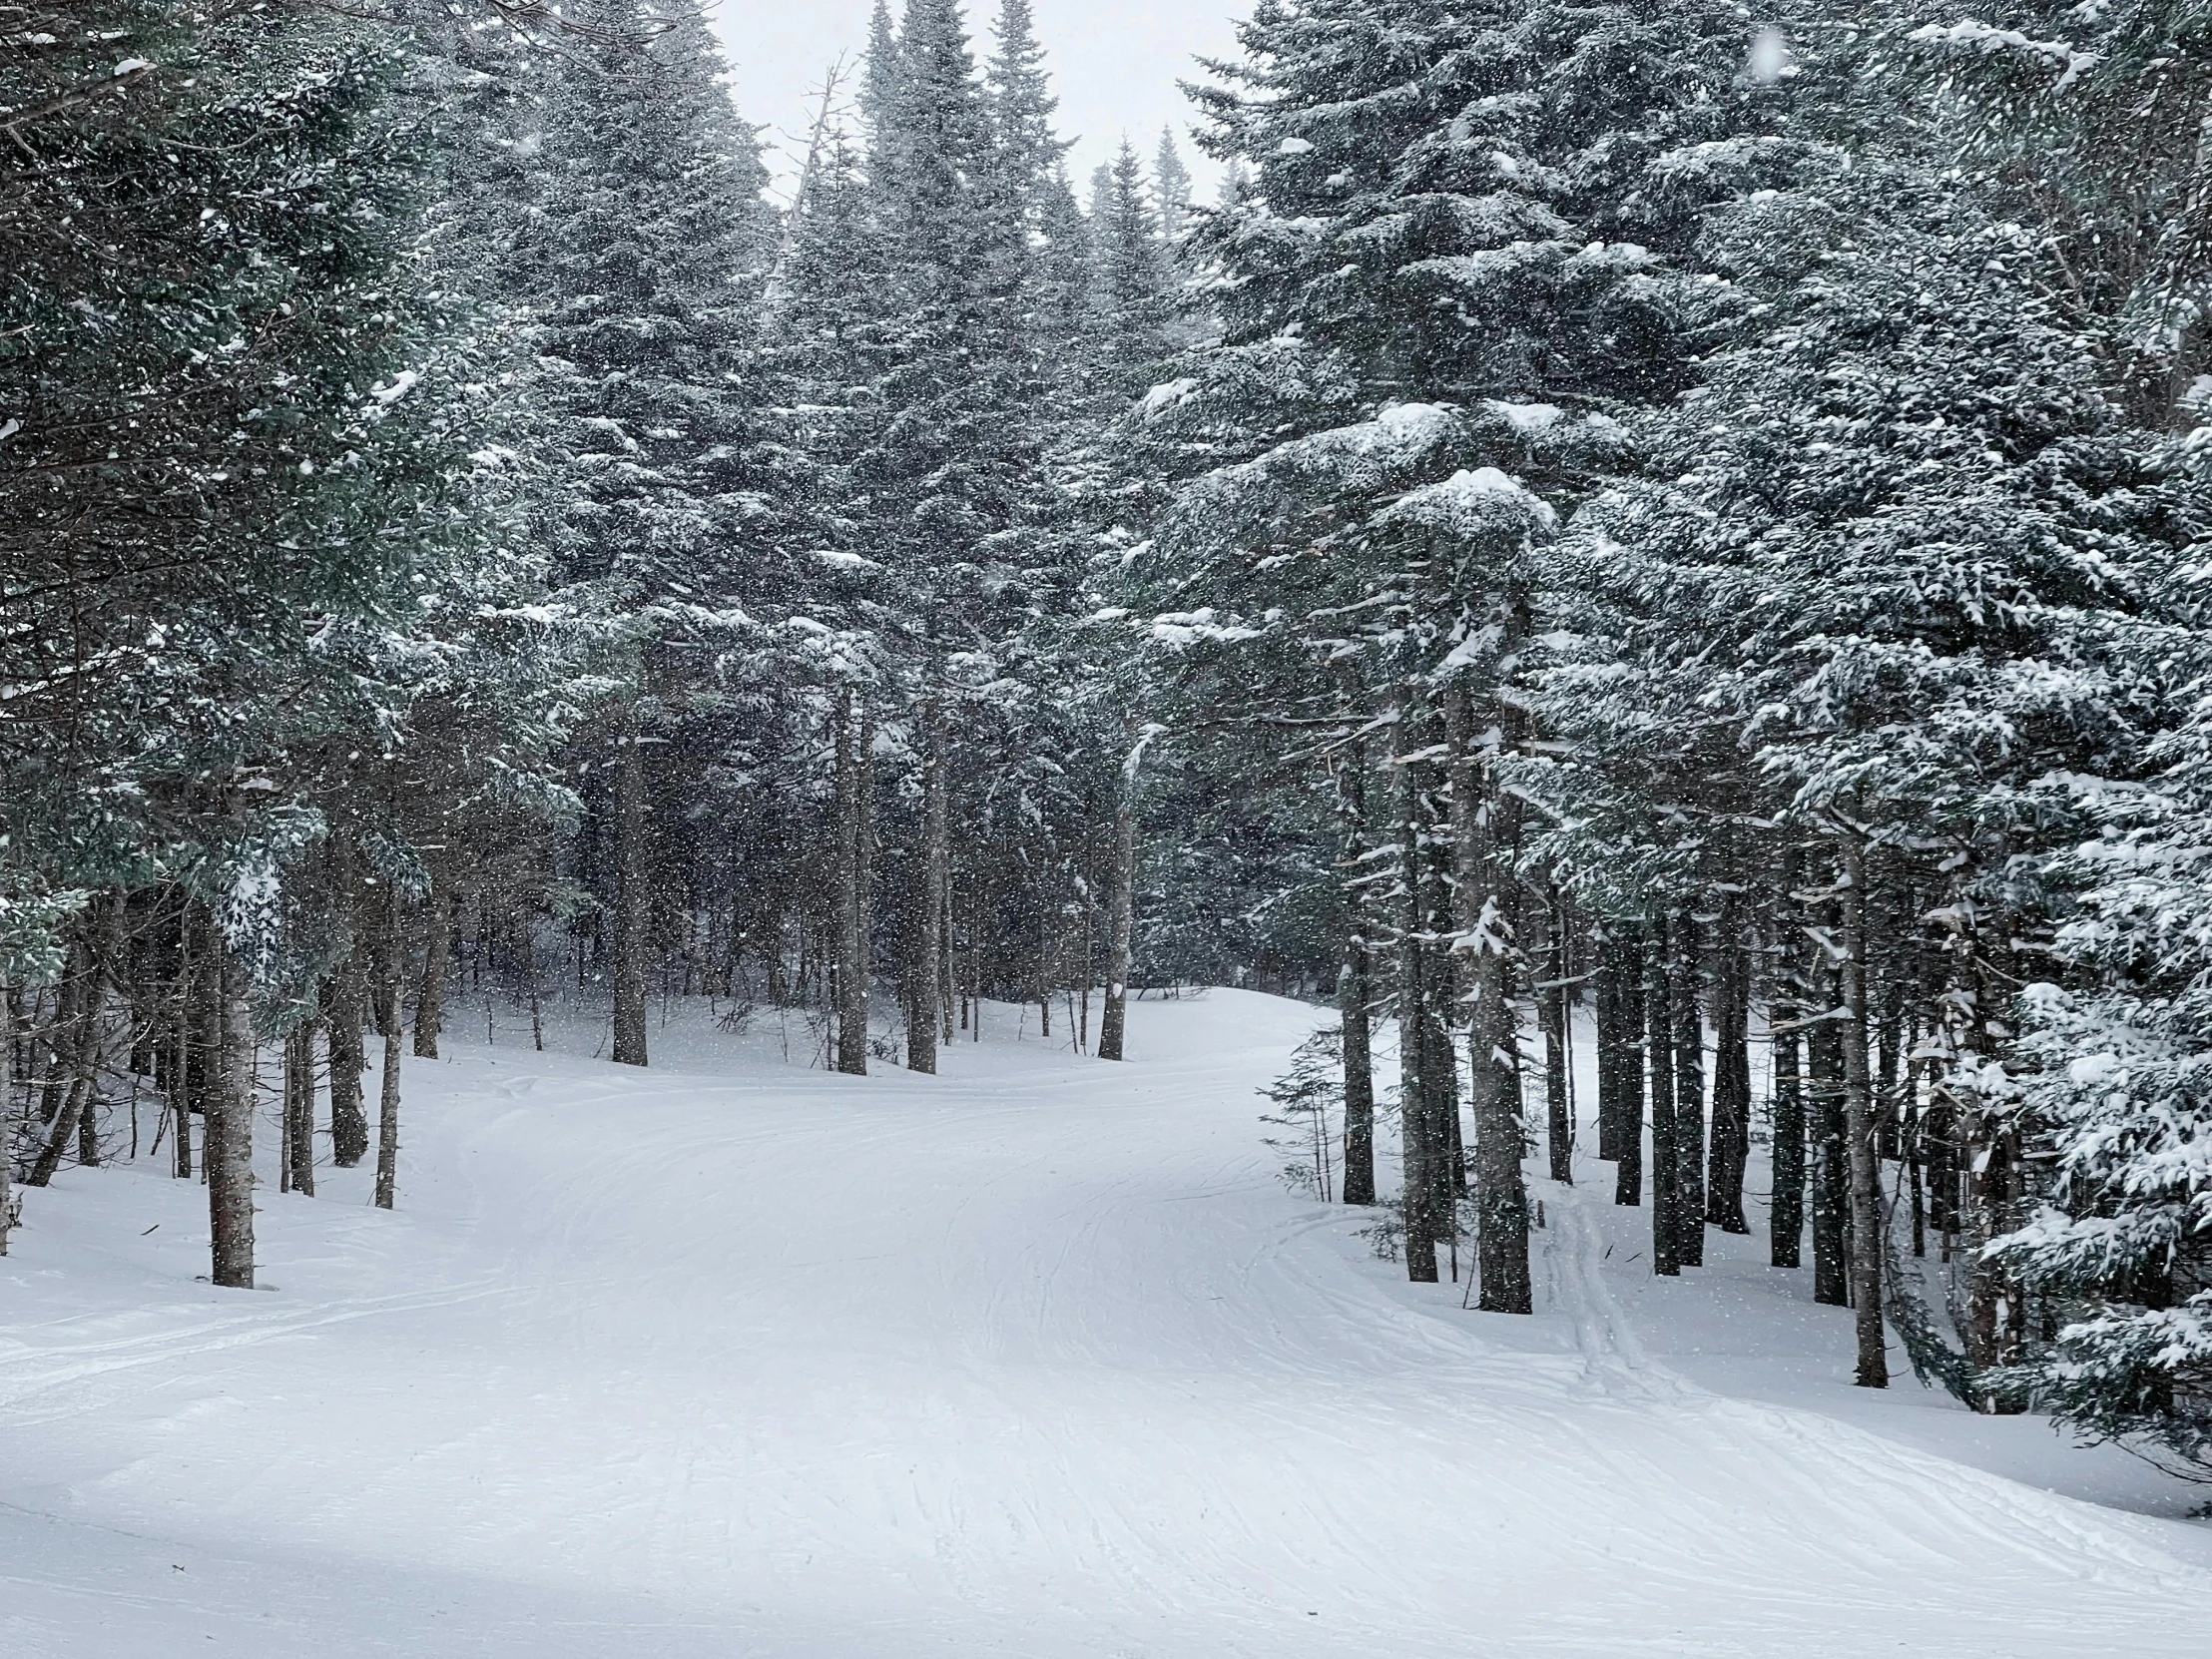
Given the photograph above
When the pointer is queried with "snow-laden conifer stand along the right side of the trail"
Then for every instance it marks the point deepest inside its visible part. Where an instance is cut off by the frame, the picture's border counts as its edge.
(1718, 512)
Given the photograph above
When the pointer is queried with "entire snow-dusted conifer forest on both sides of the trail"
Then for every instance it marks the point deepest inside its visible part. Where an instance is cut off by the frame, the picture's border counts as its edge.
(1634, 523)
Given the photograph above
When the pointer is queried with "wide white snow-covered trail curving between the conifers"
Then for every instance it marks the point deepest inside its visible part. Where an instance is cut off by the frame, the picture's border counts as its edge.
(1034, 1359)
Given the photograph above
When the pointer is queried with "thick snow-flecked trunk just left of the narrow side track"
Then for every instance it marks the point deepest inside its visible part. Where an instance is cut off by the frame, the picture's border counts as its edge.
(1501, 1187)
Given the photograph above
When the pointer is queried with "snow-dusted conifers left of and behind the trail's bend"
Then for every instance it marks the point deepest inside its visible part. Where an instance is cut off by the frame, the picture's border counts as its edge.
(466, 536)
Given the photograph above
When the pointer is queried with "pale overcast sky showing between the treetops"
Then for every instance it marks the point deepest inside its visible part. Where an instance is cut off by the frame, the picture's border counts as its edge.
(1114, 61)
